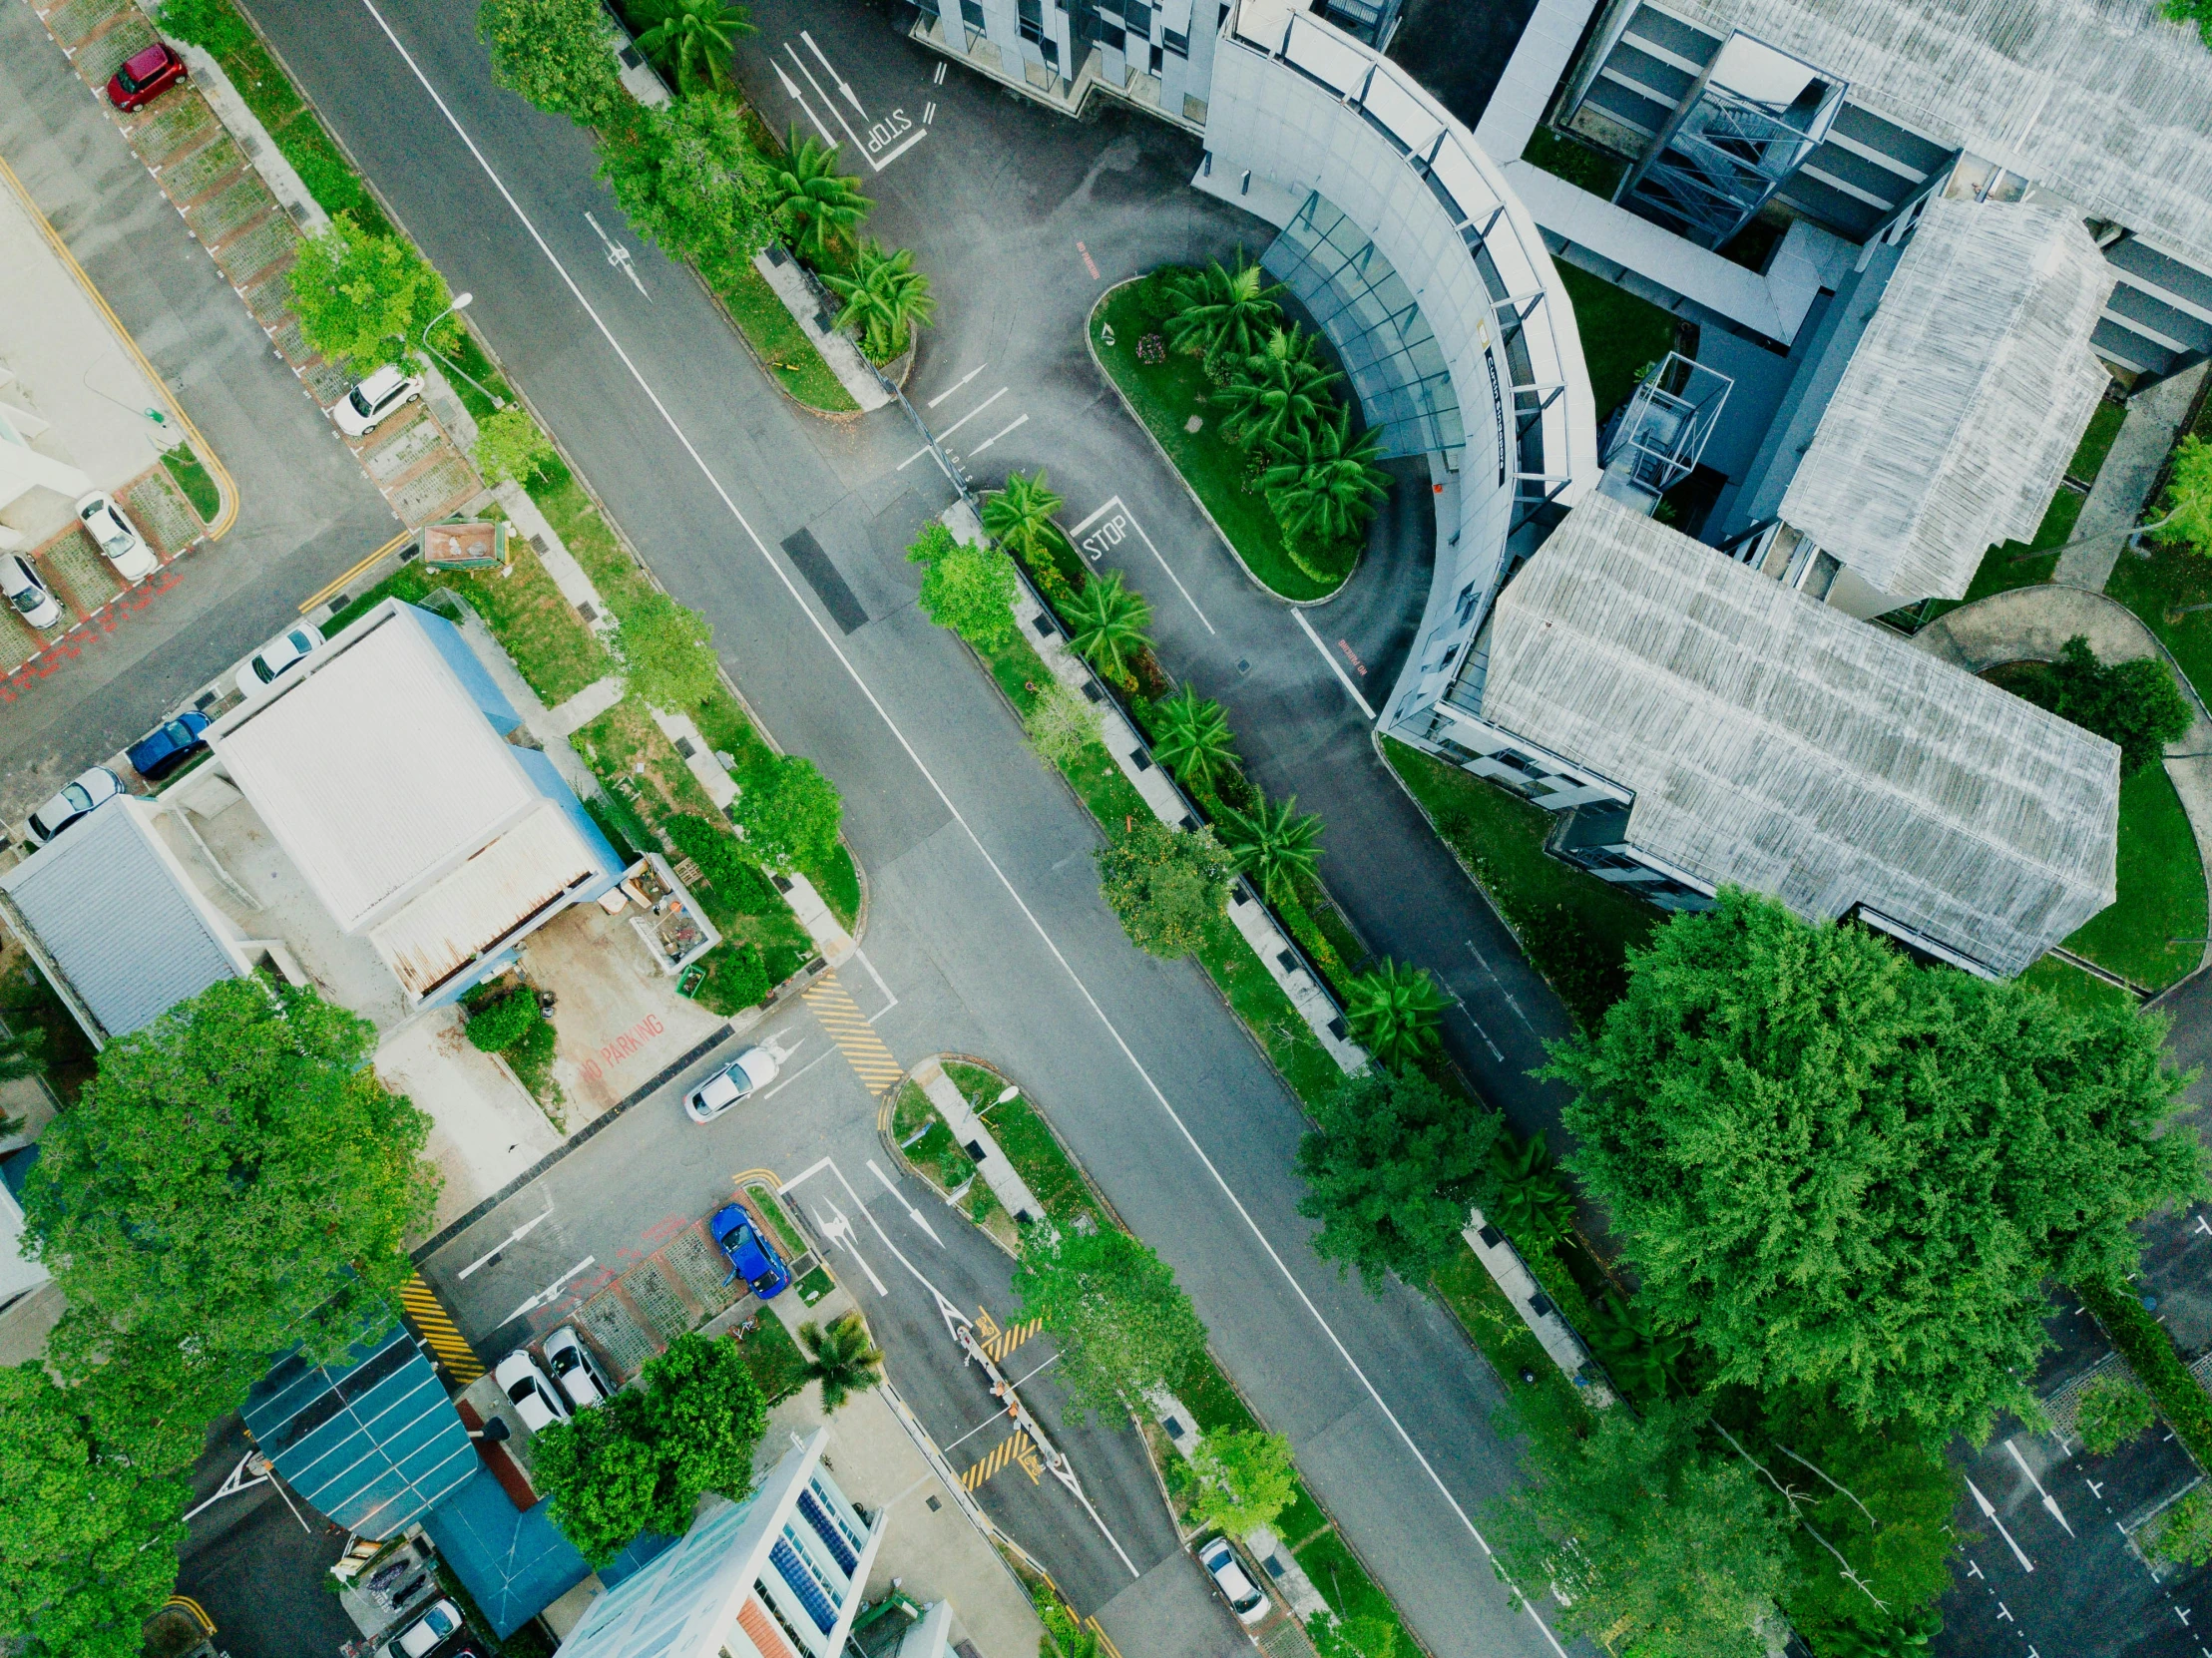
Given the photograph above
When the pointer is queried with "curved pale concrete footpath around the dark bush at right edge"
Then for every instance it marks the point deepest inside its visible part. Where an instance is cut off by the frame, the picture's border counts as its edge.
(2034, 625)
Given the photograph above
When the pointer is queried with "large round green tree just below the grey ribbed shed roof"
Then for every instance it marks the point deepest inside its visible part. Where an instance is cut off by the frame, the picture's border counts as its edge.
(236, 1177)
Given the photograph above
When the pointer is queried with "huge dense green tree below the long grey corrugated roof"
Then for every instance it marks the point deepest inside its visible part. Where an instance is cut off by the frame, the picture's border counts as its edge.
(1850, 1171)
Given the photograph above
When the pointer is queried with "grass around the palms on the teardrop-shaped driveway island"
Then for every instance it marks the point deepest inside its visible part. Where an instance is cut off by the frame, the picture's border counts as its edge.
(1167, 397)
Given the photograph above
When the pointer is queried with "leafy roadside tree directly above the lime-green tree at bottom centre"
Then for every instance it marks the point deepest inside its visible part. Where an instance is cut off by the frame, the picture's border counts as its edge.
(1114, 1310)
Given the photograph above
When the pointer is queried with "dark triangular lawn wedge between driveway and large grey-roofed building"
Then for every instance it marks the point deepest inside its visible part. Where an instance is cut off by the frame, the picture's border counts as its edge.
(1576, 927)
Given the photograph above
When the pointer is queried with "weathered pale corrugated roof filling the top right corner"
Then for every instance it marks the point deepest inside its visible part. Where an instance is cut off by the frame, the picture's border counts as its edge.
(2100, 101)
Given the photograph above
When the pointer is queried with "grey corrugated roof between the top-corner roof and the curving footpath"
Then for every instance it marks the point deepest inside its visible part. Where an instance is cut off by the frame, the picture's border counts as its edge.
(1965, 399)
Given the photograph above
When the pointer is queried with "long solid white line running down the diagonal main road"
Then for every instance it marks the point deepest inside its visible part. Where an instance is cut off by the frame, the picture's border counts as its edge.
(983, 852)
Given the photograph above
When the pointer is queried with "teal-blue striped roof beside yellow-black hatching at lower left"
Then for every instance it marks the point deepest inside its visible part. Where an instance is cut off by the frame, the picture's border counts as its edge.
(371, 1440)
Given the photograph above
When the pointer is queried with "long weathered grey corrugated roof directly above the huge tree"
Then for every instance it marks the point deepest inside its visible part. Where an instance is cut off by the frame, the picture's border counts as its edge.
(1782, 746)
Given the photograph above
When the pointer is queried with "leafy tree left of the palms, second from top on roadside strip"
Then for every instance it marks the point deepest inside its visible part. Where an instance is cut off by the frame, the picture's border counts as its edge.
(691, 180)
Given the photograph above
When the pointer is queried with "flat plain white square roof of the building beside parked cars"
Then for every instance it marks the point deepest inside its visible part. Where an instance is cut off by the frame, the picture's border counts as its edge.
(377, 773)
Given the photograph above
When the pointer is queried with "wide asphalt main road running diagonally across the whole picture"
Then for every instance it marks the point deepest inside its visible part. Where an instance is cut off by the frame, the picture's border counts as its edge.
(977, 859)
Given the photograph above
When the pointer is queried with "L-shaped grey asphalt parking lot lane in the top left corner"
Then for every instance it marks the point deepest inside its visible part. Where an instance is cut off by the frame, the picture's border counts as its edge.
(306, 510)
